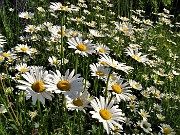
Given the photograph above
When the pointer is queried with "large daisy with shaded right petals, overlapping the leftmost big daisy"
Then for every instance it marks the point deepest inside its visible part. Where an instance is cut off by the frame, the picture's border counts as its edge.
(59, 83)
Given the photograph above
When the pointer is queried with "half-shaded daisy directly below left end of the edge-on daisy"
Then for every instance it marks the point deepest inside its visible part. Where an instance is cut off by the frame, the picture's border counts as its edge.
(99, 70)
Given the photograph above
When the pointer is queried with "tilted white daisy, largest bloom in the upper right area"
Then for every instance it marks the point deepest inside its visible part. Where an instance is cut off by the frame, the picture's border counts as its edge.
(136, 55)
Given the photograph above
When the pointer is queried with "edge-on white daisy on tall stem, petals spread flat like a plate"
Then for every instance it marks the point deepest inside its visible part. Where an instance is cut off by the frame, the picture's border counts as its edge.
(108, 61)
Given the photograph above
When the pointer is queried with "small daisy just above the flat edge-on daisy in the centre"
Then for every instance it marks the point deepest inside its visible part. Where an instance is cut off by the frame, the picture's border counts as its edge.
(102, 49)
